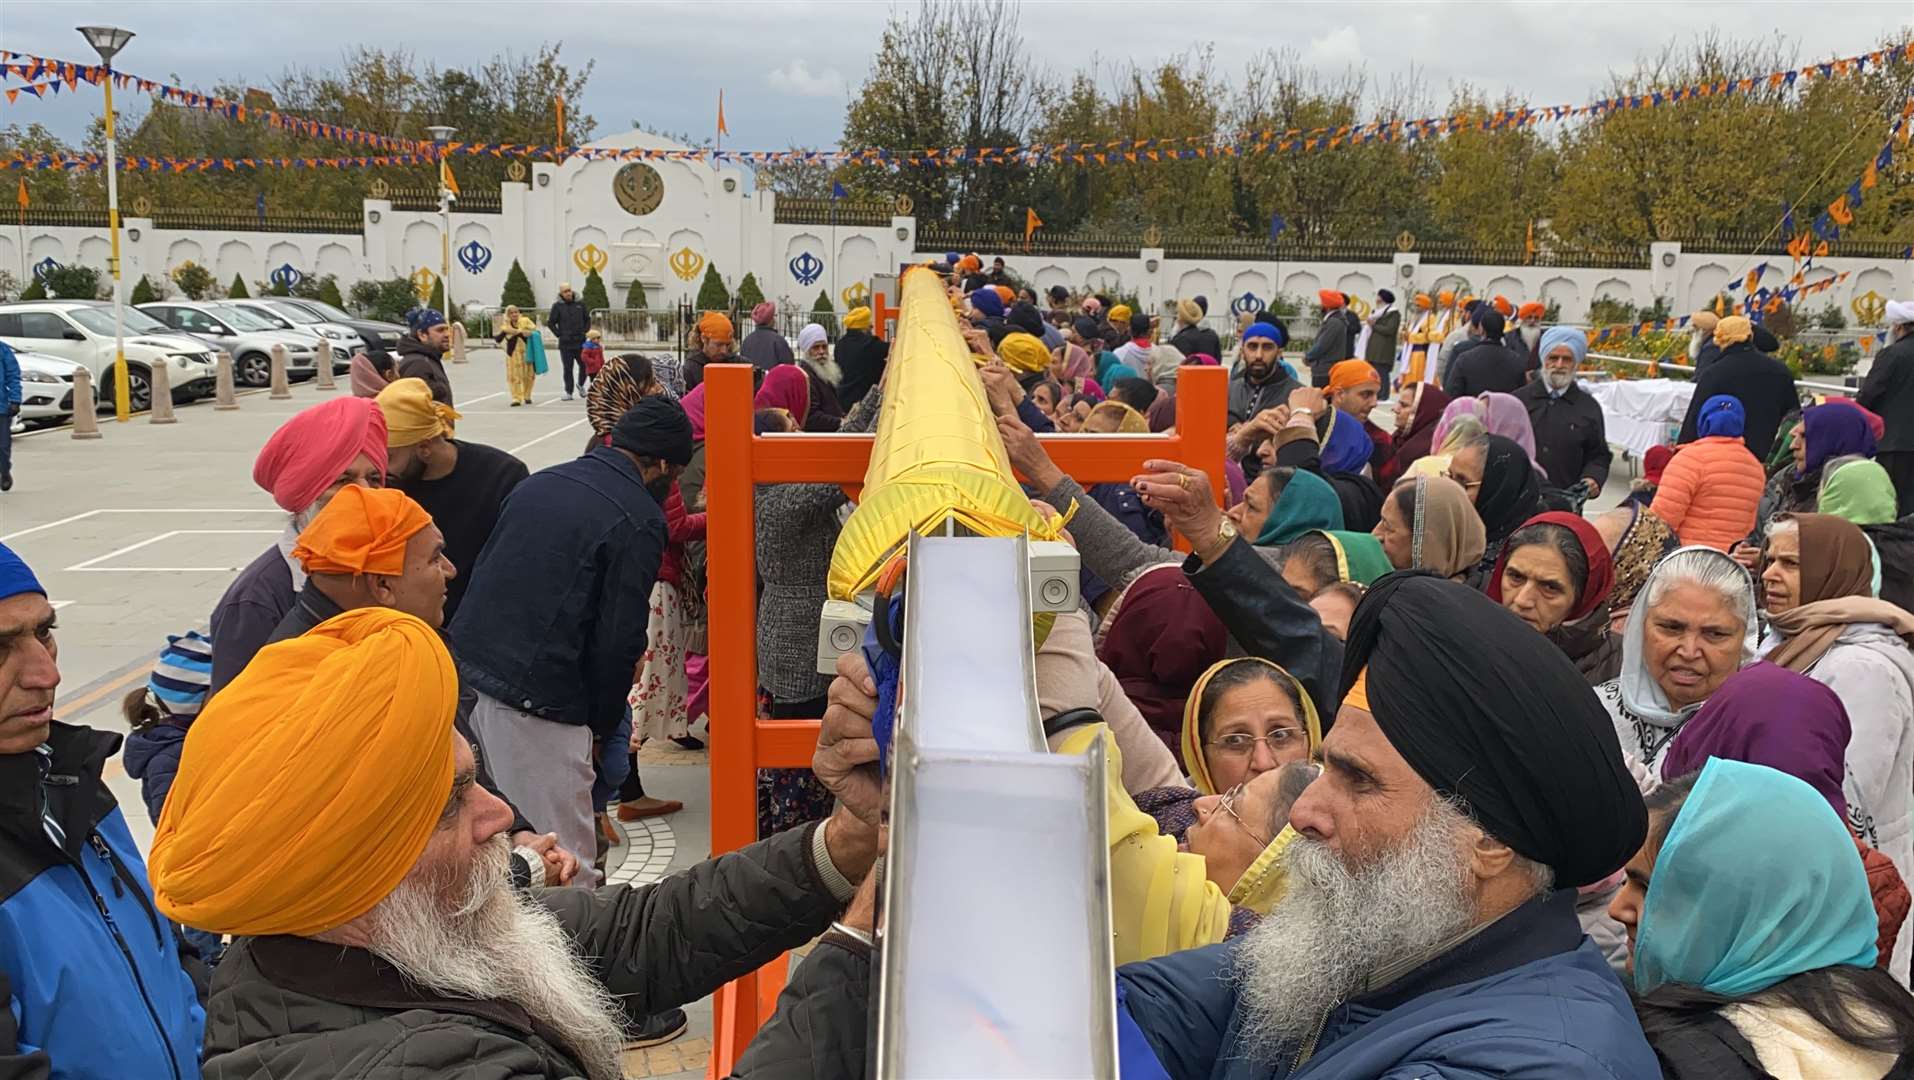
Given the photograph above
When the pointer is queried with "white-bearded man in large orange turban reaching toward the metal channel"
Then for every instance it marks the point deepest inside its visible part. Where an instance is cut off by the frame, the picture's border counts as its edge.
(330, 817)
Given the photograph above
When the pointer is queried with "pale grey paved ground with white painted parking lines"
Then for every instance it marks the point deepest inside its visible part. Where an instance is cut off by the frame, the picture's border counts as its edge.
(139, 533)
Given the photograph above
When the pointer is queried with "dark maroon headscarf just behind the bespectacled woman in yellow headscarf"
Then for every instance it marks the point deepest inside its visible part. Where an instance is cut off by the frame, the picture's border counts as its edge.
(1159, 642)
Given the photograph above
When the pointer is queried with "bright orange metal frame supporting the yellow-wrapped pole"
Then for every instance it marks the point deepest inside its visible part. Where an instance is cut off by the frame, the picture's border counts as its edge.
(744, 744)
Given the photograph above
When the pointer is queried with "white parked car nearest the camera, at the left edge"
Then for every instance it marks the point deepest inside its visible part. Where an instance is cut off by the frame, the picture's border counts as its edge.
(83, 332)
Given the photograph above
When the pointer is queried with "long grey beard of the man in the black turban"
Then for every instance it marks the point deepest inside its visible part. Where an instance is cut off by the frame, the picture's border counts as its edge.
(1339, 926)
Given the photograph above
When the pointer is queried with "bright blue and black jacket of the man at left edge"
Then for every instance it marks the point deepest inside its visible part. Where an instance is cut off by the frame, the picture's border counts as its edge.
(89, 966)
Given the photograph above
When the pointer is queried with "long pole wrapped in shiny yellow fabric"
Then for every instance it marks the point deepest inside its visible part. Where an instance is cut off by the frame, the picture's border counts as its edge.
(937, 455)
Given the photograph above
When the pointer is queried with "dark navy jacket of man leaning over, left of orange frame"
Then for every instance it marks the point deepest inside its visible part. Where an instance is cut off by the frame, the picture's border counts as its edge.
(556, 616)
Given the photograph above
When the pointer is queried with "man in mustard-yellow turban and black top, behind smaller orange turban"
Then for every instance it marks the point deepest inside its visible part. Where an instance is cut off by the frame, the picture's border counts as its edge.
(462, 485)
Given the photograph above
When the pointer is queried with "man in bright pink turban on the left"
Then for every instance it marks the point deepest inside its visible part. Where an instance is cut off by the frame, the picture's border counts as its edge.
(303, 466)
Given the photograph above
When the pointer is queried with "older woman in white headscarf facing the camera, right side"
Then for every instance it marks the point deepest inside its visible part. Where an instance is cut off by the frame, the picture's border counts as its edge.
(1689, 631)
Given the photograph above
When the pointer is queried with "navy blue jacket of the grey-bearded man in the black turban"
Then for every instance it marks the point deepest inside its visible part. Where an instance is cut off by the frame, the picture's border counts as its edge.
(1528, 997)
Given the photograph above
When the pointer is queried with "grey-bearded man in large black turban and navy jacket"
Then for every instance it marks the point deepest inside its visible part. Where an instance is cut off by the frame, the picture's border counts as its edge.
(1429, 926)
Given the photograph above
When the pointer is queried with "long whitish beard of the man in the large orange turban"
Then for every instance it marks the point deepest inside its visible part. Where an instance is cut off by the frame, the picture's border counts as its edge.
(472, 935)
